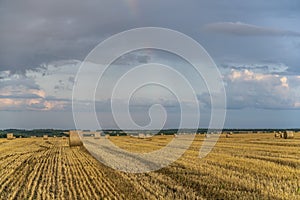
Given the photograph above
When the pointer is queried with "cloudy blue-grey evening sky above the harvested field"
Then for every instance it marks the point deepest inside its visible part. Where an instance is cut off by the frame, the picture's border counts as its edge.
(255, 45)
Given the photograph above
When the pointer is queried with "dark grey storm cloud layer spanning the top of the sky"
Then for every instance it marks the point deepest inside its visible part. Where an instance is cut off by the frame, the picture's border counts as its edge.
(35, 32)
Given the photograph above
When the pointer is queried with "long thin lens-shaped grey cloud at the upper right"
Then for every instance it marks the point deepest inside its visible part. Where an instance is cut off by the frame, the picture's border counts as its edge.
(243, 29)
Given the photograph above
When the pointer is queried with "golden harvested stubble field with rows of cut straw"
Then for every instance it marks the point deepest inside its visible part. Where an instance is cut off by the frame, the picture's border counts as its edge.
(245, 166)
